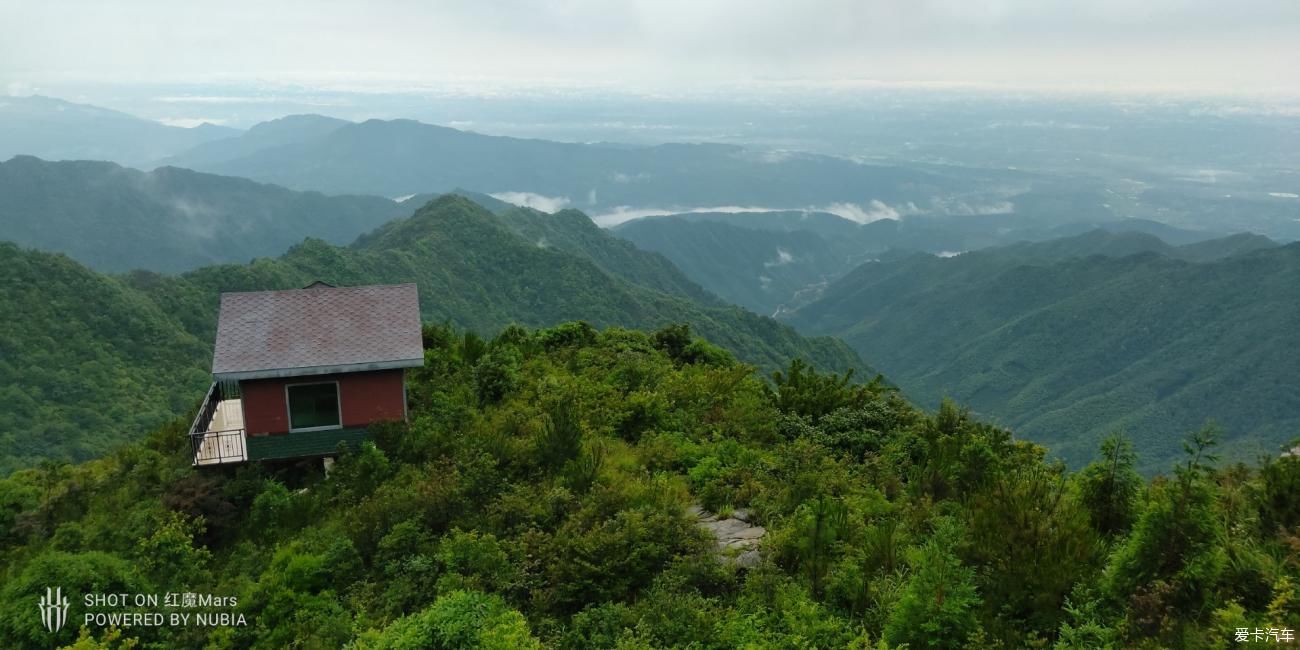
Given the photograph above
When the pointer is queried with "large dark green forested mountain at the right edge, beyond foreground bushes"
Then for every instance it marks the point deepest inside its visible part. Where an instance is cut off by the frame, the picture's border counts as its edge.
(1067, 341)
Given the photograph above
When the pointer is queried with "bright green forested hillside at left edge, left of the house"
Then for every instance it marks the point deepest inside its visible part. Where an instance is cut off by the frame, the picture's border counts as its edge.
(86, 362)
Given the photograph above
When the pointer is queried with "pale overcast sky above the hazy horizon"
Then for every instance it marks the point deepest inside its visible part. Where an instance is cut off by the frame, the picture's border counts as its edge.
(1215, 46)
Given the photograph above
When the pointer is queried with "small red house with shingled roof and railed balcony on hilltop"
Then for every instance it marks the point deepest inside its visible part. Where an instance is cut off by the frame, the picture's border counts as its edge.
(297, 374)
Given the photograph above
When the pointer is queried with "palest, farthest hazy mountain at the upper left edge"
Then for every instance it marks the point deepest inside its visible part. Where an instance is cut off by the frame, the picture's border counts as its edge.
(54, 129)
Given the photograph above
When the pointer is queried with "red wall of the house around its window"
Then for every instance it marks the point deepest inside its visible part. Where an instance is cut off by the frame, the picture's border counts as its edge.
(365, 397)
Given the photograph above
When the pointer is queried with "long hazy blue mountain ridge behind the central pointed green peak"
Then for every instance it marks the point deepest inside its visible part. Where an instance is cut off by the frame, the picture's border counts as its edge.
(402, 157)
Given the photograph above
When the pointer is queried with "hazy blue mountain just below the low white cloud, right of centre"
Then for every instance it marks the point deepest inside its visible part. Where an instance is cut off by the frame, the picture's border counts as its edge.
(773, 262)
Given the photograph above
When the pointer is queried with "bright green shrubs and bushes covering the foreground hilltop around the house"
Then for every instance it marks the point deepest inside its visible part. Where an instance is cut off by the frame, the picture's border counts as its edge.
(539, 500)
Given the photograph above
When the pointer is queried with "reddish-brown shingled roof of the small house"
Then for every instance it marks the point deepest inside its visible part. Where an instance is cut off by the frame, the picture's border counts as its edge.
(318, 331)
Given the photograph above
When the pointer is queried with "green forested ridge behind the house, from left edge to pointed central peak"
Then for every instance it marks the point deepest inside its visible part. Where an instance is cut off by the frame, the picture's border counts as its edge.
(92, 359)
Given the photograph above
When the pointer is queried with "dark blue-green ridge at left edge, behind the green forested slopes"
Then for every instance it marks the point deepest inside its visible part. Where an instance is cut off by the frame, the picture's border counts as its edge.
(116, 219)
